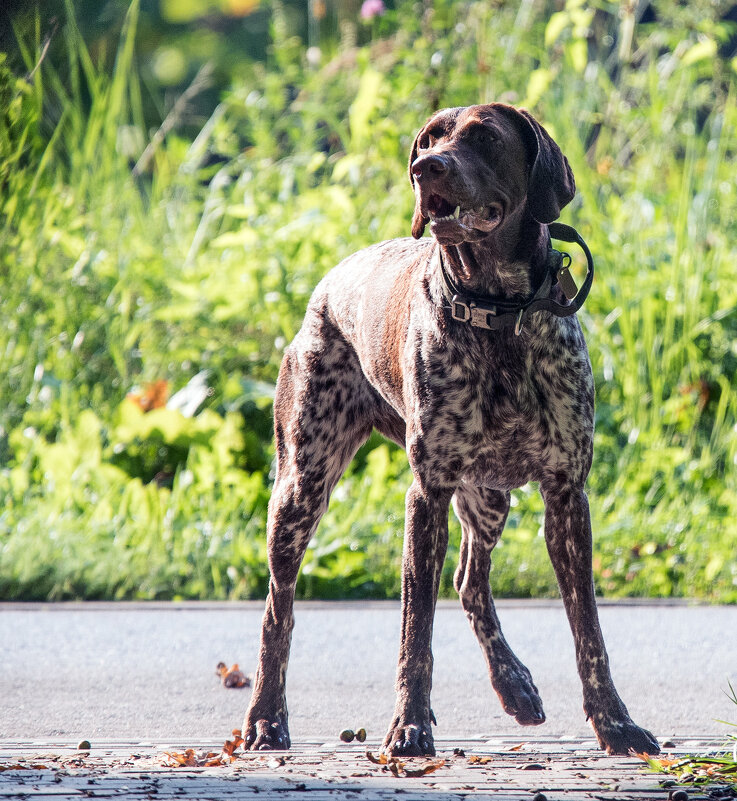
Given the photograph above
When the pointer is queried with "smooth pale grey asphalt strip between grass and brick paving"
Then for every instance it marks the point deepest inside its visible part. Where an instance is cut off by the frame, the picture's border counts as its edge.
(113, 672)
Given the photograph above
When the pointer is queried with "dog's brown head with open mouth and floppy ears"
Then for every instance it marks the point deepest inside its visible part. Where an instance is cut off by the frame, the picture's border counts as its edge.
(472, 167)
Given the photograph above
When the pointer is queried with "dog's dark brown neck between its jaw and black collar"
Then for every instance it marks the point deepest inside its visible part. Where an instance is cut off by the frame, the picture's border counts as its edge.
(510, 263)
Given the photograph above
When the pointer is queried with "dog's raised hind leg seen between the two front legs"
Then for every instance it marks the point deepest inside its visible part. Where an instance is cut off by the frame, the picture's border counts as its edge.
(482, 513)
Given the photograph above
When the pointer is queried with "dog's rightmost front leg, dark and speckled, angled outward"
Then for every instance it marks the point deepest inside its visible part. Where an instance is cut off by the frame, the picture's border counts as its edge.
(568, 537)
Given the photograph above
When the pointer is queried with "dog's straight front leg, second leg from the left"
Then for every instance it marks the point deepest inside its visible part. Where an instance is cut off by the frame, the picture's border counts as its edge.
(425, 543)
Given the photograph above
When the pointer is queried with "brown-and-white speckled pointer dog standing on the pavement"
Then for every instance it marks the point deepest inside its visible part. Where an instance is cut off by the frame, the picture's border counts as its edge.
(462, 347)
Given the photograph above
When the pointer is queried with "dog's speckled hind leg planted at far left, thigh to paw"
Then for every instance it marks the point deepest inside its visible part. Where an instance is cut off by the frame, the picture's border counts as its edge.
(320, 421)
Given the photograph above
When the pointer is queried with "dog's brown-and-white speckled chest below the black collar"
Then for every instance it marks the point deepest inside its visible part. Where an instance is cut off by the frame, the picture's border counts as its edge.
(508, 410)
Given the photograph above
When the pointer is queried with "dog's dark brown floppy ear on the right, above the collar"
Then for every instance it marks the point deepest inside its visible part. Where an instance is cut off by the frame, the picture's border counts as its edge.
(551, 185)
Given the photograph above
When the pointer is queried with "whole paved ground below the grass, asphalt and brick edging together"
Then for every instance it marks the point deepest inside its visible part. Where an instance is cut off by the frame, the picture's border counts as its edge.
(138, 681)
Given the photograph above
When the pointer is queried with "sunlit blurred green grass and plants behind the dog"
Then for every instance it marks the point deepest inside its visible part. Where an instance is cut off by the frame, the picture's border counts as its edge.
(176, 177)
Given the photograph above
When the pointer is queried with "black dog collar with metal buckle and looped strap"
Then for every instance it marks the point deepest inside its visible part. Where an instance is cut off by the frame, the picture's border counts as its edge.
(483, 311)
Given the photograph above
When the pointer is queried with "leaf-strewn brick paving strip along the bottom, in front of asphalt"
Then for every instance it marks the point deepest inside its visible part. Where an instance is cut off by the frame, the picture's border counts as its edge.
(501, 769)
